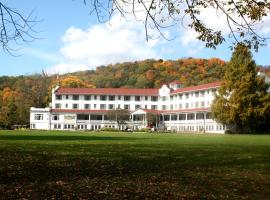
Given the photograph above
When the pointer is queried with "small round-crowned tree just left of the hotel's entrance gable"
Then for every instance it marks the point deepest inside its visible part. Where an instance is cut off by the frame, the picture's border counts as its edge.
(121, 116)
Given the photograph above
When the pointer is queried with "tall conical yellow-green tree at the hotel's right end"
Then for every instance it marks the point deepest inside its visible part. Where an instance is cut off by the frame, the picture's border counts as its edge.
(242, 101)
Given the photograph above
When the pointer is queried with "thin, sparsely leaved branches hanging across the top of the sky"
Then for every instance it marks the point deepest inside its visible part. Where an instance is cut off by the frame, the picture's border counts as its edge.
(242, 18)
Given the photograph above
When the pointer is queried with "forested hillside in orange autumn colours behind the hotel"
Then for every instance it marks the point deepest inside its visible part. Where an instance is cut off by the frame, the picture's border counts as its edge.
(18, 94)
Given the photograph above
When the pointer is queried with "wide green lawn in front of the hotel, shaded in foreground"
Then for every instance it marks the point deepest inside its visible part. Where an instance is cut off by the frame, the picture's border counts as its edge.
(74, 165)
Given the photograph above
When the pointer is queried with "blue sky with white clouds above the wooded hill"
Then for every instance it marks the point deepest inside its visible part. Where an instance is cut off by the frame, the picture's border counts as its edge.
(69, 38)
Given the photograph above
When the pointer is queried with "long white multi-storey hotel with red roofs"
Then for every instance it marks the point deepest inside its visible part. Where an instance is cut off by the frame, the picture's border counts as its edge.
(180, 109)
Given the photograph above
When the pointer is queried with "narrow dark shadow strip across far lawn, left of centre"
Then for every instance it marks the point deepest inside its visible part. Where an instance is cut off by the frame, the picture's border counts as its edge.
(66, 138)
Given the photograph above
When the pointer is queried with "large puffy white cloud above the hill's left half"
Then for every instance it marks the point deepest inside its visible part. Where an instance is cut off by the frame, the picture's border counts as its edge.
(102, 44)
